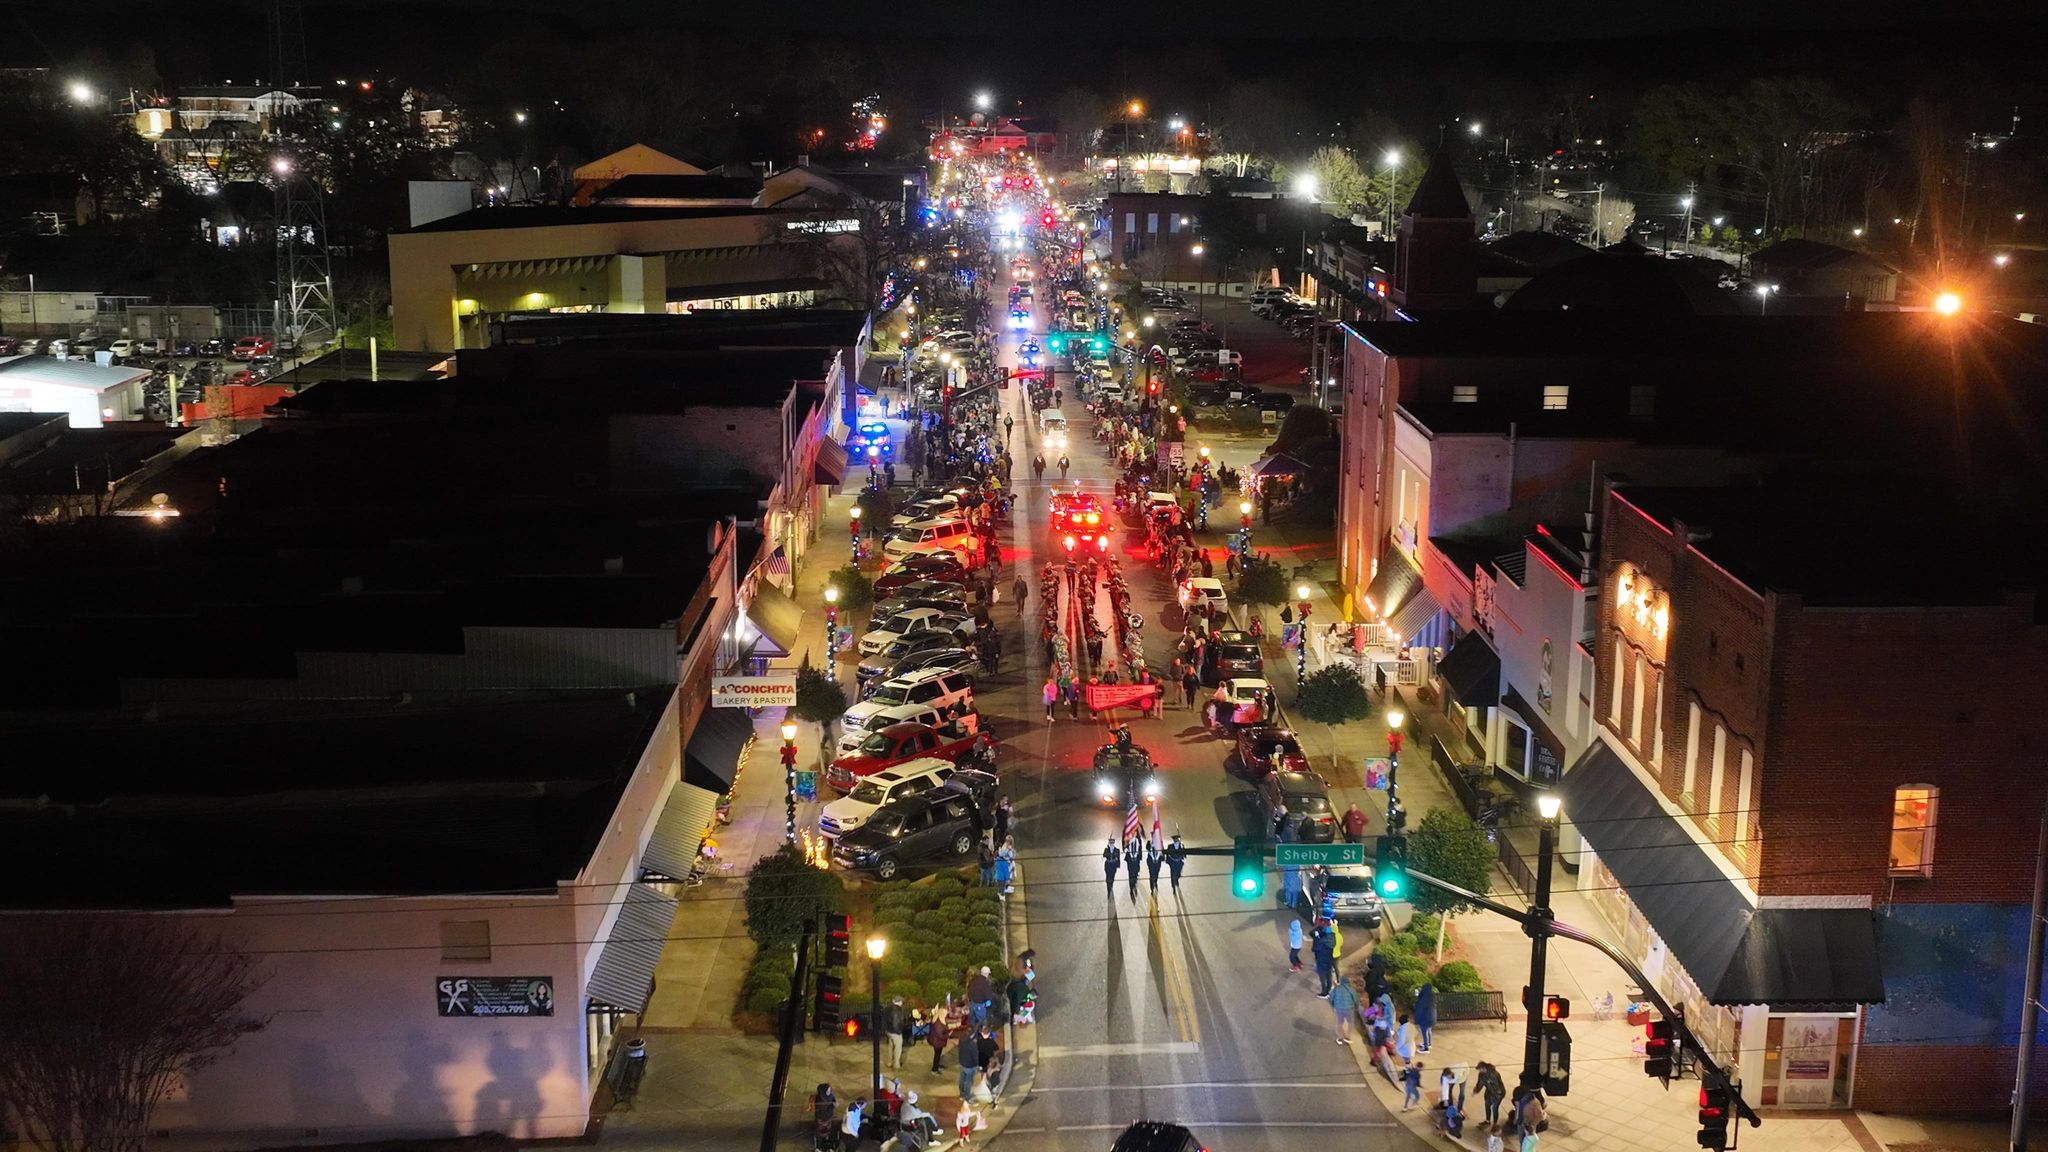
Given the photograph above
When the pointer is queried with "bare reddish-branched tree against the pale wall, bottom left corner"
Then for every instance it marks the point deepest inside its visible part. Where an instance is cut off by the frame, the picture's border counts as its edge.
(105, 1016)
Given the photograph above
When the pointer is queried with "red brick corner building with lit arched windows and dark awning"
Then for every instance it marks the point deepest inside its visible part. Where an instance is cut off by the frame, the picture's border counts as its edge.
(1801, 811)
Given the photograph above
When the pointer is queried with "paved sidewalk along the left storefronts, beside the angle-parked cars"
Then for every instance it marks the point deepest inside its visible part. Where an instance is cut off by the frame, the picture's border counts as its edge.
(708, 1085)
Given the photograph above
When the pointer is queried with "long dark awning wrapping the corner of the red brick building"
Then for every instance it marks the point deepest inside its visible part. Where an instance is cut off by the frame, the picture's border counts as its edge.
(1734, 952)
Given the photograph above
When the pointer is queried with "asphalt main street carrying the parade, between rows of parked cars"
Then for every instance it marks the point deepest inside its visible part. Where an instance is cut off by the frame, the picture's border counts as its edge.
(1152, 1005)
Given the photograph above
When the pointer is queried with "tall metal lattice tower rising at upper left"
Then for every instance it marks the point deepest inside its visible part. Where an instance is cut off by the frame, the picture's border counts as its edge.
(304, 278)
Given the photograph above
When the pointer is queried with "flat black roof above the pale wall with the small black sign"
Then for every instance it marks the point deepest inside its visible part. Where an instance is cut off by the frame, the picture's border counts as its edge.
(503, 794)
